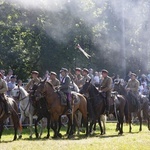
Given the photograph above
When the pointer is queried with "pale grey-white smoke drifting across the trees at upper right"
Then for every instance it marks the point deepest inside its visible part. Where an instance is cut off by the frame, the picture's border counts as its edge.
(129, 31)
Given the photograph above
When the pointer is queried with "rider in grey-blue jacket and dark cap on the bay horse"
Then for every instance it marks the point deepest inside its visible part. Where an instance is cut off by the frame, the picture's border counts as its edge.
(65, 87)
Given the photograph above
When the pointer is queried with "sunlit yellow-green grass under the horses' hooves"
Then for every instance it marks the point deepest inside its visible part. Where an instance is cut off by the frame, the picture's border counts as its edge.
(111, 141)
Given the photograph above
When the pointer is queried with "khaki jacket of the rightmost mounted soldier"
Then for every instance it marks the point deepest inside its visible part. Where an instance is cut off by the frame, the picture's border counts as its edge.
(133, 85)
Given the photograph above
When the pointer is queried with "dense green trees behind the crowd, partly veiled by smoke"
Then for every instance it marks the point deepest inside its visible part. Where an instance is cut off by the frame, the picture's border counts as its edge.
(36, 38)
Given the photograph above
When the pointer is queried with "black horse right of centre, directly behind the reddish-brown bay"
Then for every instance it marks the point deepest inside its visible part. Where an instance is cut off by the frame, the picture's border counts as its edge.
(98, 106)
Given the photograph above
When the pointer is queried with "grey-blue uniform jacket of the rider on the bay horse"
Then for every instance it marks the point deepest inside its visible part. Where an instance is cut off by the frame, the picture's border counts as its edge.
(65, 84)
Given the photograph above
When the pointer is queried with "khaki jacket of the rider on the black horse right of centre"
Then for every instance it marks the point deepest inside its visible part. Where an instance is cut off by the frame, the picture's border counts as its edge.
(106, 85)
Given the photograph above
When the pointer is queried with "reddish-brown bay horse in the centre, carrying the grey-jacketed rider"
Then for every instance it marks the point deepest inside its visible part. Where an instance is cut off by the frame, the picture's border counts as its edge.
(56, 109)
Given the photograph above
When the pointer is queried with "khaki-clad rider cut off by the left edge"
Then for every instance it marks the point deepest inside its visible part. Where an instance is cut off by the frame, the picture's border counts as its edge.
(3, 89)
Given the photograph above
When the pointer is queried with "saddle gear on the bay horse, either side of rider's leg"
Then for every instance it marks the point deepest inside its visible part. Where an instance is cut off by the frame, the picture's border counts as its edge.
(63, 98)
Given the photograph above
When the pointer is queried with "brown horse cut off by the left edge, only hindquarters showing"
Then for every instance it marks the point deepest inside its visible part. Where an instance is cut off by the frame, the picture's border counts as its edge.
(13, 114)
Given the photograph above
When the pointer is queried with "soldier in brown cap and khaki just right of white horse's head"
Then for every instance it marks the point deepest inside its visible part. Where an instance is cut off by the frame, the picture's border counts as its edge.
(34, 80)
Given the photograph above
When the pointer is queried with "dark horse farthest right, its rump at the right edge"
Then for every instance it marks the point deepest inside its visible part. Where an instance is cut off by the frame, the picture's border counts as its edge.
(132, 108)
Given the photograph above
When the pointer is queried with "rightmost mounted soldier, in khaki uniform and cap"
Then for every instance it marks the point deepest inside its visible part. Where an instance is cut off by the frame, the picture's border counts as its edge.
(133, 86)
